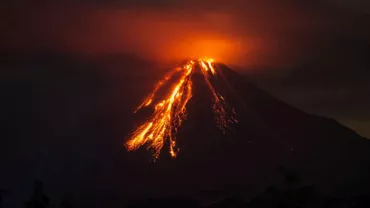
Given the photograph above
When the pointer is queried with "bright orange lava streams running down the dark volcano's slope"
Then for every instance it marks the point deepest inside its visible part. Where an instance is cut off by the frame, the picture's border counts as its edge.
(170, 112)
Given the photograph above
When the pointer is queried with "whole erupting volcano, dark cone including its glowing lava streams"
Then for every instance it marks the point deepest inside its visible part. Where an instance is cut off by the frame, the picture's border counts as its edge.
(224, 131)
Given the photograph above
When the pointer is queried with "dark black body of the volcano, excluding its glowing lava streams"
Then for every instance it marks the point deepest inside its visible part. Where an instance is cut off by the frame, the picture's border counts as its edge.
(270, 134)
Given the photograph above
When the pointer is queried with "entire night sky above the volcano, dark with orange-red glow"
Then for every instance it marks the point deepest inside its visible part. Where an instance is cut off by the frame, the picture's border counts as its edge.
(311, 54)
